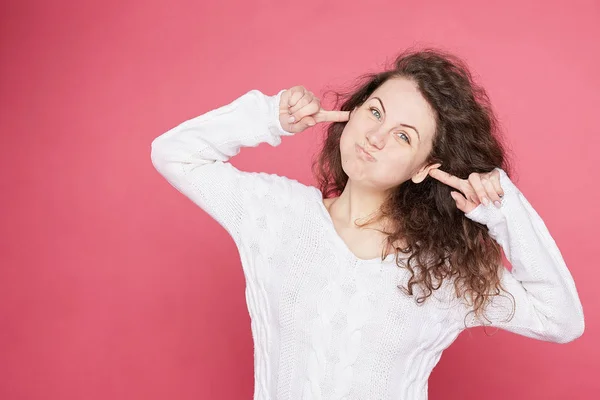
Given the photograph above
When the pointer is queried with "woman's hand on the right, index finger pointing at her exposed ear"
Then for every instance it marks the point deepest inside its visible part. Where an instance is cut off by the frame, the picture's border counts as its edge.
(478, 188)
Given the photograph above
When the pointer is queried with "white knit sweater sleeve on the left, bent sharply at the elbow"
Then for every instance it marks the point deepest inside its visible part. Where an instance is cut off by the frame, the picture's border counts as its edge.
(193, 156)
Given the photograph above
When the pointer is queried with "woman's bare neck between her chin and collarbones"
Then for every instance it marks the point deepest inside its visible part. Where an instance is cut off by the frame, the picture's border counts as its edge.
(358, 205)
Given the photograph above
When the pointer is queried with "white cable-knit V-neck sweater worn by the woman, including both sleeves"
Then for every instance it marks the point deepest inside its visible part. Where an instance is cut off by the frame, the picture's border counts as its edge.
(326, 324)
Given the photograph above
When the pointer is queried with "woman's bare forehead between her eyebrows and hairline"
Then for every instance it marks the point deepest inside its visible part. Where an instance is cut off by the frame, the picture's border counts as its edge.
(404, 104)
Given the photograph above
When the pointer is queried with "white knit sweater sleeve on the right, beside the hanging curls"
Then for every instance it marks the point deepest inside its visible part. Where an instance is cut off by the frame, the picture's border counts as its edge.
(544, 297)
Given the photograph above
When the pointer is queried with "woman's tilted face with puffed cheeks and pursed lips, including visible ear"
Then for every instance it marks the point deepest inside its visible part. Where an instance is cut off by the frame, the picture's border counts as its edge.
(395, 125)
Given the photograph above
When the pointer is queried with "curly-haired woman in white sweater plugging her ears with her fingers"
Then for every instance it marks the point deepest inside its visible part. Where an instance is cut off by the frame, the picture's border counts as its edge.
(356, 288)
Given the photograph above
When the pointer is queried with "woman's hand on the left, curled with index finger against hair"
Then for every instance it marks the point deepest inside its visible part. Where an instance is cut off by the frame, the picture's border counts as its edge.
(306, 109)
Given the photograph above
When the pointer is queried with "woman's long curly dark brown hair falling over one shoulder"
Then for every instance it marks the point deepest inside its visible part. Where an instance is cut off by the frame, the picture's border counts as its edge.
(467, 139)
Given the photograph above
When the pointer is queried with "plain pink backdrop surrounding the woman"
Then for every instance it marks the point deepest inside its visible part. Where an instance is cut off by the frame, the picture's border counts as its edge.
(115, 286)
